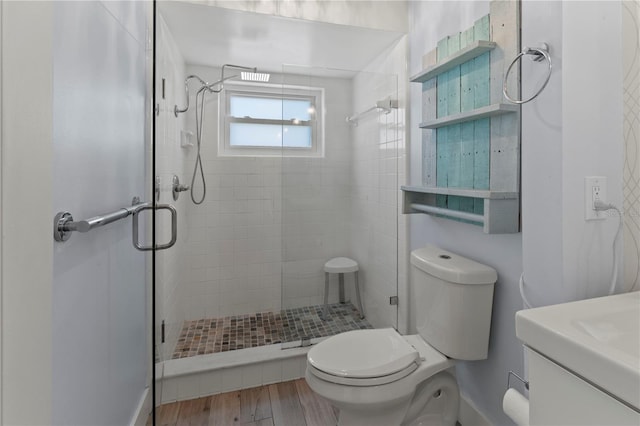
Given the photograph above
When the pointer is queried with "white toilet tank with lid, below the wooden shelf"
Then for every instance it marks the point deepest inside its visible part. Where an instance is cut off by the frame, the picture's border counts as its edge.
(453, 300)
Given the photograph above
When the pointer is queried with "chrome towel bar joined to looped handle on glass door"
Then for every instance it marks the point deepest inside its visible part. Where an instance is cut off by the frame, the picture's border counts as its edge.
(64, 225)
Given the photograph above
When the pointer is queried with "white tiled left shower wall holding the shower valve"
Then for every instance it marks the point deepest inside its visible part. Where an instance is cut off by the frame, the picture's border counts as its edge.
(170, 160)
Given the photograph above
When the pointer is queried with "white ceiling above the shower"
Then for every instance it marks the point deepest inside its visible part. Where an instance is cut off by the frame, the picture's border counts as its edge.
(213, 36)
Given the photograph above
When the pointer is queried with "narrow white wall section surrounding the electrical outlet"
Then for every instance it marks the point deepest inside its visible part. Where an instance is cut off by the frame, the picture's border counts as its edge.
(592, 141)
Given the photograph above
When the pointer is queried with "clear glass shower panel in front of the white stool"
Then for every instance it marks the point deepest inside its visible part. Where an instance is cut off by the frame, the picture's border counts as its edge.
(340, 202)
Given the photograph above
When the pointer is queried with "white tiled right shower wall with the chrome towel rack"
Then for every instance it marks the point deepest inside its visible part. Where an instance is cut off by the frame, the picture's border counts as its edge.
(377, 238)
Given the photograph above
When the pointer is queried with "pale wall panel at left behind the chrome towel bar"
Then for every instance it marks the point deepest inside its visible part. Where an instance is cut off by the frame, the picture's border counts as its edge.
(99, 327)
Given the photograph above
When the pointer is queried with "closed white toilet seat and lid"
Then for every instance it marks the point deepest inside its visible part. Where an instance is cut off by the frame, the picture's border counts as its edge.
(364, 357)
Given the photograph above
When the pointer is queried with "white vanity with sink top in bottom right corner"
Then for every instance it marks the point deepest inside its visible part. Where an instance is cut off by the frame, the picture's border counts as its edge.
(584, 361)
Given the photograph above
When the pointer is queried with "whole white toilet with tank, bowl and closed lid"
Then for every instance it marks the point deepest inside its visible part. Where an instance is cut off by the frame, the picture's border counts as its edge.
(382, 378)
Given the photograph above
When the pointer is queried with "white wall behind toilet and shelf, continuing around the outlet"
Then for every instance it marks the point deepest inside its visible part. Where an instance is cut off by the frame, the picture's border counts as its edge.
(573, 129)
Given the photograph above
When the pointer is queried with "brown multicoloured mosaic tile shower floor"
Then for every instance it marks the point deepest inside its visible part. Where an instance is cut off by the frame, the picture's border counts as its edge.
(212, 335)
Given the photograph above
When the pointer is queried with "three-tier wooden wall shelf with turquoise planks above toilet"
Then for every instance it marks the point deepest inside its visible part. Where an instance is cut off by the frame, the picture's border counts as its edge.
(476, 141)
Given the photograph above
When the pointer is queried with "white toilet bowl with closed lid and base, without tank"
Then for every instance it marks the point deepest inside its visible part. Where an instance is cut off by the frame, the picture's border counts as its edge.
(376, 384)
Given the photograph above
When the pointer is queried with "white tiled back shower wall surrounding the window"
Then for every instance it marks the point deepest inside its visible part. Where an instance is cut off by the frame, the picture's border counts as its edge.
(236, 240)
